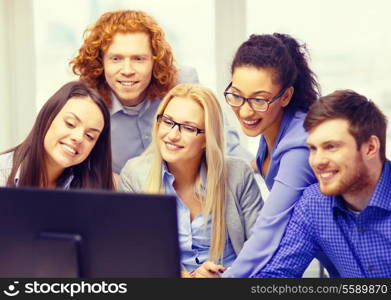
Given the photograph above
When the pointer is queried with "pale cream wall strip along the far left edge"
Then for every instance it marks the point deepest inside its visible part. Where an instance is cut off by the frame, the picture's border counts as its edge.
(17, 71)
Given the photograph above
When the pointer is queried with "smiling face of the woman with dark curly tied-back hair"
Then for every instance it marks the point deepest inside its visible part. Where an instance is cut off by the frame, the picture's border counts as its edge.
(251, 82)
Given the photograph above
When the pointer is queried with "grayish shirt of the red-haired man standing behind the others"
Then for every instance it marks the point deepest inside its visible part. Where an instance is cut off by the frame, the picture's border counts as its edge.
(131, 127)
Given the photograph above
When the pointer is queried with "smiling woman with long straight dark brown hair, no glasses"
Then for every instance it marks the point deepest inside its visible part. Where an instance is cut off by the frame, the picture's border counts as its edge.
(68, 146)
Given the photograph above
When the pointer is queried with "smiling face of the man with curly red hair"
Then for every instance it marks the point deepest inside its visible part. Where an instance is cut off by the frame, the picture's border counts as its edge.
(128, 65)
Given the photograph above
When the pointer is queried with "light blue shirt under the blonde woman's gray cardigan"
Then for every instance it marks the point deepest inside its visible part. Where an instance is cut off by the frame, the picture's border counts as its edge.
(194, 236)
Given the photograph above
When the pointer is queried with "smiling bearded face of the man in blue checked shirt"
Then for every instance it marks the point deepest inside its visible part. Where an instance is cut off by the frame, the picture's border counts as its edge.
(338, 165)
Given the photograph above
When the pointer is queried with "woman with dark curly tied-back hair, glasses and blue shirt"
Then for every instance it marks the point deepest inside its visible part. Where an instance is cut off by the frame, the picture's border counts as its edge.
(271, 91)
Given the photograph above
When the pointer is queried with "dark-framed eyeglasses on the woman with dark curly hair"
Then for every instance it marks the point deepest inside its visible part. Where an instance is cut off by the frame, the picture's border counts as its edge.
(256, 104)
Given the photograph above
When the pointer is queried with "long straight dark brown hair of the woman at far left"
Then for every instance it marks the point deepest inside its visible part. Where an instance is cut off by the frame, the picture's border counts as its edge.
(93, 172)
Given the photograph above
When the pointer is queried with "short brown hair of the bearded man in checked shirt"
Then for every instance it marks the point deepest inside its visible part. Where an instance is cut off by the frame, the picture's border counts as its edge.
(364, 117)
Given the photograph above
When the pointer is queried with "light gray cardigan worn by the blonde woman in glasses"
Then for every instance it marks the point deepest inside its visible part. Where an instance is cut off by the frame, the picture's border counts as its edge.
(243, 196)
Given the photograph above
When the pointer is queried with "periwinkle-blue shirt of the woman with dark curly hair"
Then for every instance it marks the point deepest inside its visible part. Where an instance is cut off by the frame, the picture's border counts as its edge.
(288, 175)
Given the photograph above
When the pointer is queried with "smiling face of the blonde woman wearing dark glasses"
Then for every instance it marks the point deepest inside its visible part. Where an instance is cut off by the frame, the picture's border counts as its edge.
(182, 147)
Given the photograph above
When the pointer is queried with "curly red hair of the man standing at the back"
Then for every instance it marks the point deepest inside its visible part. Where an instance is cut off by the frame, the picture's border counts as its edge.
(88, 64)
